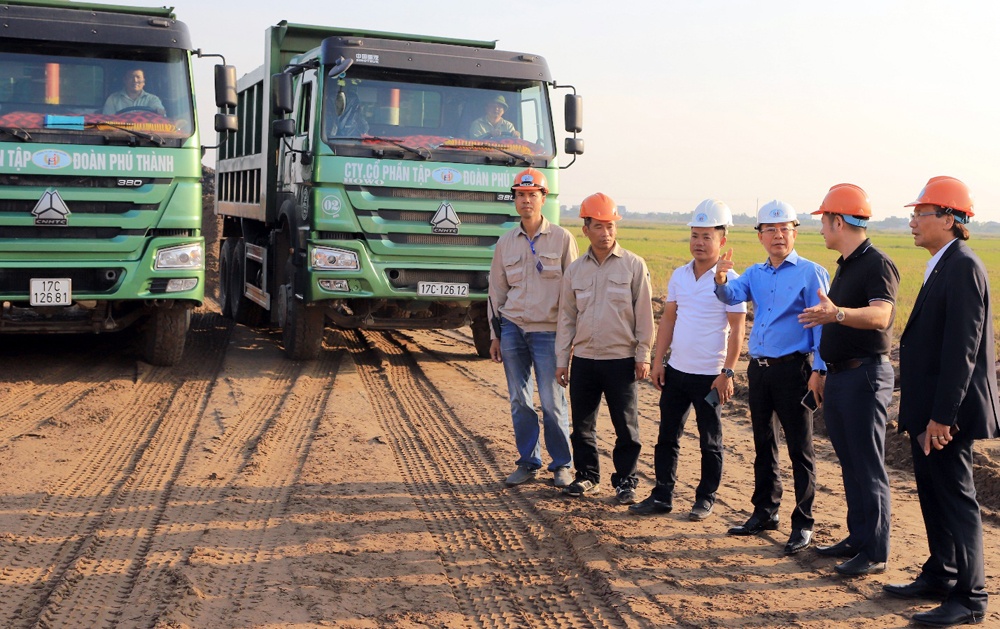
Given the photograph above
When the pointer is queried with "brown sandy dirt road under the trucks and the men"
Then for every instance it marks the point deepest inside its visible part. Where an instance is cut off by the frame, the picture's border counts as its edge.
(364, 489)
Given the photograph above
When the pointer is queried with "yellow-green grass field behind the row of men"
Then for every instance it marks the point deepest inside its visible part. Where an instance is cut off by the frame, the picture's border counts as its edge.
(665, 247)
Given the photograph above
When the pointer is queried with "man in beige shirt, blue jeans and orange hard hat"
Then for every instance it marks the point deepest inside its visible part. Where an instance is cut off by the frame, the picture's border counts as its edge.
(528, 265)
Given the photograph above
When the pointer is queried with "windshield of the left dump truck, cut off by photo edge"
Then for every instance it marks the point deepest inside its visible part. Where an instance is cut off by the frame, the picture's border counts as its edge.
(62, 94)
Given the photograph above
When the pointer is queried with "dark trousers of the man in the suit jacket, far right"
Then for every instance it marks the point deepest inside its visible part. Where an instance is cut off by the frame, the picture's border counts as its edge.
(951, 516)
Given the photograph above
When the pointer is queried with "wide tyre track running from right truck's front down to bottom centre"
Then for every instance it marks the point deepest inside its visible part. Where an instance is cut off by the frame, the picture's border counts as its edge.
(505, 565)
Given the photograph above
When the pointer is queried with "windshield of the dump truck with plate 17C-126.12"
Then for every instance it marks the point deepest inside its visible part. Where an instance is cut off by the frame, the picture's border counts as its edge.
(442, 117)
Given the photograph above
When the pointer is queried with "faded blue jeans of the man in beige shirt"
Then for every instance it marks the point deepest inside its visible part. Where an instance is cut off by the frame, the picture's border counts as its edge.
(520, 351)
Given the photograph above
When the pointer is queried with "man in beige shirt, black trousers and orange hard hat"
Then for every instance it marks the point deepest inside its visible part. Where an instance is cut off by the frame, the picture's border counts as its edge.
(606, 323)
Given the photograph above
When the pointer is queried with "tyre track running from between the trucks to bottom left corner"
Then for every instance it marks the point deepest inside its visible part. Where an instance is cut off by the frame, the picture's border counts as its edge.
(80, 548)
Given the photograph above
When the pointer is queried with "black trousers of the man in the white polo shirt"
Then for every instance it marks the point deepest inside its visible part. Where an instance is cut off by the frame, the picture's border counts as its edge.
(680, 392)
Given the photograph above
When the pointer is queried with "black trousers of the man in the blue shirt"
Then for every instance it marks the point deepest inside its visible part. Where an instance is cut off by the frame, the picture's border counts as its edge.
(777, 391)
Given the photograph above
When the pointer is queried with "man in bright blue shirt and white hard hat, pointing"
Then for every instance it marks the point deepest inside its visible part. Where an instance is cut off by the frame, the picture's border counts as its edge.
(780, 373)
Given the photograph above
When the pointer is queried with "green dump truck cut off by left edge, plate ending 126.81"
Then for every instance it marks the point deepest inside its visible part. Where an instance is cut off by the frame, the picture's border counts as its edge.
(100, 172)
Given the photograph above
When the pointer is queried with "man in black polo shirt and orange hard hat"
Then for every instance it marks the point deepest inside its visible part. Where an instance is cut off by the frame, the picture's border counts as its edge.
(857, 321)
